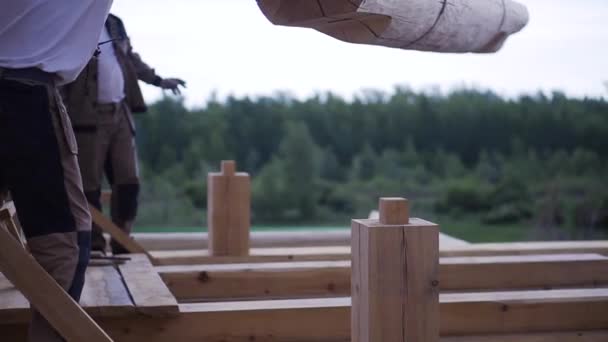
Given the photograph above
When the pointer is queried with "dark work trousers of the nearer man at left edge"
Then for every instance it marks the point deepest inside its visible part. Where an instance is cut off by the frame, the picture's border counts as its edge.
(38, 164)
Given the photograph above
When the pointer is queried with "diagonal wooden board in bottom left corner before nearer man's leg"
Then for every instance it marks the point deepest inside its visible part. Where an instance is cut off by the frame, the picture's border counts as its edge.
(66, 316)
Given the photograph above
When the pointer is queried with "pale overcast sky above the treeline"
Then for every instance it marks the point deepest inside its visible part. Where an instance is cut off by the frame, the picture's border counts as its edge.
(228, 47)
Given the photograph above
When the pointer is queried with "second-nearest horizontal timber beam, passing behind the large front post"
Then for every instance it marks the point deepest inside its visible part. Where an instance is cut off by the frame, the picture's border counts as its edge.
(332, 278)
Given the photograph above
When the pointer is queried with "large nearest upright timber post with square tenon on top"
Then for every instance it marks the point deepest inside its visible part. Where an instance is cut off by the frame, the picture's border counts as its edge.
(395, 288)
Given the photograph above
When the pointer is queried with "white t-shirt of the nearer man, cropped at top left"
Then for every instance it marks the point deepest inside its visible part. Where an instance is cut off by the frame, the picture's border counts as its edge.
(57, 36)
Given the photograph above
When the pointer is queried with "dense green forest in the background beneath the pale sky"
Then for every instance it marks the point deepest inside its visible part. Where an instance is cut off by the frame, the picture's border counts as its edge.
(485, 167)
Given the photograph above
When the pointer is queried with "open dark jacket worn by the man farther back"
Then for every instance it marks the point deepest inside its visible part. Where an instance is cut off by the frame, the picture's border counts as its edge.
(80, 96)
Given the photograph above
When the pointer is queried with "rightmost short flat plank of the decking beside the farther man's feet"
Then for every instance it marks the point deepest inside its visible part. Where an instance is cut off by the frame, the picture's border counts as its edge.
(150, 294)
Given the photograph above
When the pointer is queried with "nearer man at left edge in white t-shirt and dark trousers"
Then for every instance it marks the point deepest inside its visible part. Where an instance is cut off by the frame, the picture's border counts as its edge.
(43, 44)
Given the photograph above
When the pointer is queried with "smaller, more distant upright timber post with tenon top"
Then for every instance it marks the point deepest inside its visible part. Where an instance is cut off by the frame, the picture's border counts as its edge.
(228, 211)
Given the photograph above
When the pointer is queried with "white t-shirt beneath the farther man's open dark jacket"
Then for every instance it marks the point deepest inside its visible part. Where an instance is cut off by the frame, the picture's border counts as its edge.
(110, 80)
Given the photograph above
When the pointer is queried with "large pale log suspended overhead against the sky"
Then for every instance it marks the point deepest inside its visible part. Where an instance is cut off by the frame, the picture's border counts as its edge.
(426, 25)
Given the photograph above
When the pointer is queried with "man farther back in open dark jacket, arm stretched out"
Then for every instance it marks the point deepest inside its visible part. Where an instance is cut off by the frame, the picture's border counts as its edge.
(100, 103)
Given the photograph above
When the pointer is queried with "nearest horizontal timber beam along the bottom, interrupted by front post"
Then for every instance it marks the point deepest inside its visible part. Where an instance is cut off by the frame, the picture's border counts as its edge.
(541, 316)
